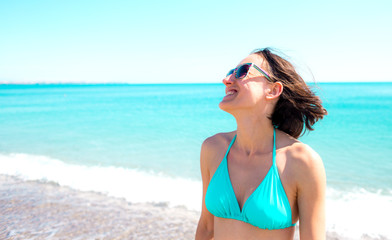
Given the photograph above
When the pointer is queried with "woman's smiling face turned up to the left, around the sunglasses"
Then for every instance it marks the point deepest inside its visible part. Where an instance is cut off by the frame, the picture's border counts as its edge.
(248, 92)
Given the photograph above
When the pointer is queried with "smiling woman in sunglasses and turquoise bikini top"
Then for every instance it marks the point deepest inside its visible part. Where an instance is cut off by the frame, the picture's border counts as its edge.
(259, 180)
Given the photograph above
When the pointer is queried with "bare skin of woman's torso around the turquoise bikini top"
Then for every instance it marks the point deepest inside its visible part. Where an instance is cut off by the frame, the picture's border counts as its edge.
(246, 176)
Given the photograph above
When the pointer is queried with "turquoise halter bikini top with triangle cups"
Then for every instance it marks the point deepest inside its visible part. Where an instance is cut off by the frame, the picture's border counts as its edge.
(267, 207)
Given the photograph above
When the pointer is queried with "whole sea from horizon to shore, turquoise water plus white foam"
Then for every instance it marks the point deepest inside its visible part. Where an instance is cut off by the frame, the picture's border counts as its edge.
(141, 142)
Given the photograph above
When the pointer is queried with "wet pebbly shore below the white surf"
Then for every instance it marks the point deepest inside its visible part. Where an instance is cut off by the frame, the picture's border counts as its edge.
(46, 210)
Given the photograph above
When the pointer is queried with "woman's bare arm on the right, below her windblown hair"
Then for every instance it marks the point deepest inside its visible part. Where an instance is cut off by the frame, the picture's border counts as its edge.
(311, 194)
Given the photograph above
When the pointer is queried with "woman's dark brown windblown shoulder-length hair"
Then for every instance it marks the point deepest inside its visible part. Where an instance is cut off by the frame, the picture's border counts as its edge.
(298, 106)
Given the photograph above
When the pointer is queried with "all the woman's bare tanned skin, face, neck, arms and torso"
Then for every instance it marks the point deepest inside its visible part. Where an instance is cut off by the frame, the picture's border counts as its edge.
(300, 168)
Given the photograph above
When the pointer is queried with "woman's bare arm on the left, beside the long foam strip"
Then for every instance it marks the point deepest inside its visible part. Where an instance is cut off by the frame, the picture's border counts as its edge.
(205, 228)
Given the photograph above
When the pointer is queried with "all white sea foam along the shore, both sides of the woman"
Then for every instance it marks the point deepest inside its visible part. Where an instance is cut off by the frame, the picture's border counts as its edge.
(353, 214)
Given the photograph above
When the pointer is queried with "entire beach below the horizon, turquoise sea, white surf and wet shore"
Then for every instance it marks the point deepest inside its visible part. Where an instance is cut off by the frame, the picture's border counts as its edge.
(121, 161)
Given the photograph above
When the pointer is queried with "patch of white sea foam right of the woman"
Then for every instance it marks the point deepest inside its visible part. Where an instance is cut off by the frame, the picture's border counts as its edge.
(358, 213)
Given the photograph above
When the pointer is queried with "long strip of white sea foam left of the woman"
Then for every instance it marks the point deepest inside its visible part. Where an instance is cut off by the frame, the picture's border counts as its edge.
(131, 184)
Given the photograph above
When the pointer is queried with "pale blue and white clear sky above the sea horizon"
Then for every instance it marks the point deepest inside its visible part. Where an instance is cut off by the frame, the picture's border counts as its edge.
(171, 41)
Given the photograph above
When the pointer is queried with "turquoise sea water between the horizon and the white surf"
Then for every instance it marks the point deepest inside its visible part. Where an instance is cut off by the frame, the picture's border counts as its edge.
(160, 127)
